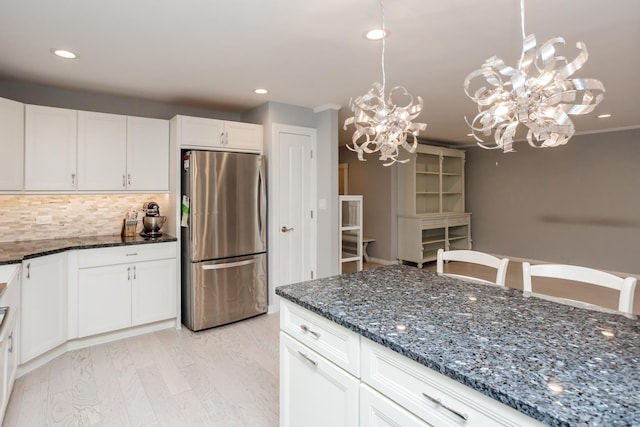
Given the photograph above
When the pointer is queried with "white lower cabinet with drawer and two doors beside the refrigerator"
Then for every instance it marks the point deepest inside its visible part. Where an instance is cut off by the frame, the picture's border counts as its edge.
(113, 294)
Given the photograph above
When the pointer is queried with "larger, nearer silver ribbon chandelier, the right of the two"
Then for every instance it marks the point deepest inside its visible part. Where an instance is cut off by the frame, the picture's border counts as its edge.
(538, 94)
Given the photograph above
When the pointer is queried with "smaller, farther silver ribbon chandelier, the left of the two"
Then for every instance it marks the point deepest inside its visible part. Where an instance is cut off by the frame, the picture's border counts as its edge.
(380, 125)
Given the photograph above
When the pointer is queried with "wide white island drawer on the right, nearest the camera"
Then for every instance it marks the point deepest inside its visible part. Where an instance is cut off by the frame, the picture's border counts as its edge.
(417, 388)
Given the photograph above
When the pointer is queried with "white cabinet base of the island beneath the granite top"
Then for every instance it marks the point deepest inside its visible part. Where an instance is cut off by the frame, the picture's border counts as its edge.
(390, 389)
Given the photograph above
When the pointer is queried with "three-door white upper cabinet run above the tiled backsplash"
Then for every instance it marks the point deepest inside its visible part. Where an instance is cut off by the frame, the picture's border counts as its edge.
(68, 150)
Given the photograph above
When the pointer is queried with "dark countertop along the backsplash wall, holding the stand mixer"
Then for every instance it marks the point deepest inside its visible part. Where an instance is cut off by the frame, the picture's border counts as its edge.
(16, 252)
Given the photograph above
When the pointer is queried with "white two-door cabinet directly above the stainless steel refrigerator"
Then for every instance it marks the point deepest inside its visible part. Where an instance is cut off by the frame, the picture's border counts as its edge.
(199, 132)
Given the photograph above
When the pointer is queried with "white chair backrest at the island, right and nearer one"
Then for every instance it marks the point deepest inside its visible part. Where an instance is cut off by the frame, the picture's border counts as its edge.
(626, 286)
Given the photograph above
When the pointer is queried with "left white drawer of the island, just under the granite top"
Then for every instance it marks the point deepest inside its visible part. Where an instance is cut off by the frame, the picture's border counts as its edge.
(338, 344)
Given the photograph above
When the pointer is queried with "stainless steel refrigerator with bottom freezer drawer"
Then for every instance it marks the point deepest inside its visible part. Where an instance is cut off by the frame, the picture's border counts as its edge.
(224, 261)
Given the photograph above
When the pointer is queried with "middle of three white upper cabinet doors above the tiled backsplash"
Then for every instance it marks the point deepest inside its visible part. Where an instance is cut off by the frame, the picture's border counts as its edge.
(102, 145)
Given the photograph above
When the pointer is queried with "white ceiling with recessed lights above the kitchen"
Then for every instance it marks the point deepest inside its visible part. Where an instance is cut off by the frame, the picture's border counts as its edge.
(212, 54)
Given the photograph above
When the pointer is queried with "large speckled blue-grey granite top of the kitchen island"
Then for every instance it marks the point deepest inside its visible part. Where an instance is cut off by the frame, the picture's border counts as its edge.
(513, 349)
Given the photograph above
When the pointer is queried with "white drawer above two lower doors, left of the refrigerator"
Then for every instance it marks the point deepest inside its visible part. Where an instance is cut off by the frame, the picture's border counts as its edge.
(125, 254)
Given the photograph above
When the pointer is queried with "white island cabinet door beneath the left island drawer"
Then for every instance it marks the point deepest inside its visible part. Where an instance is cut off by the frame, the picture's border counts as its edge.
(313, 391)
